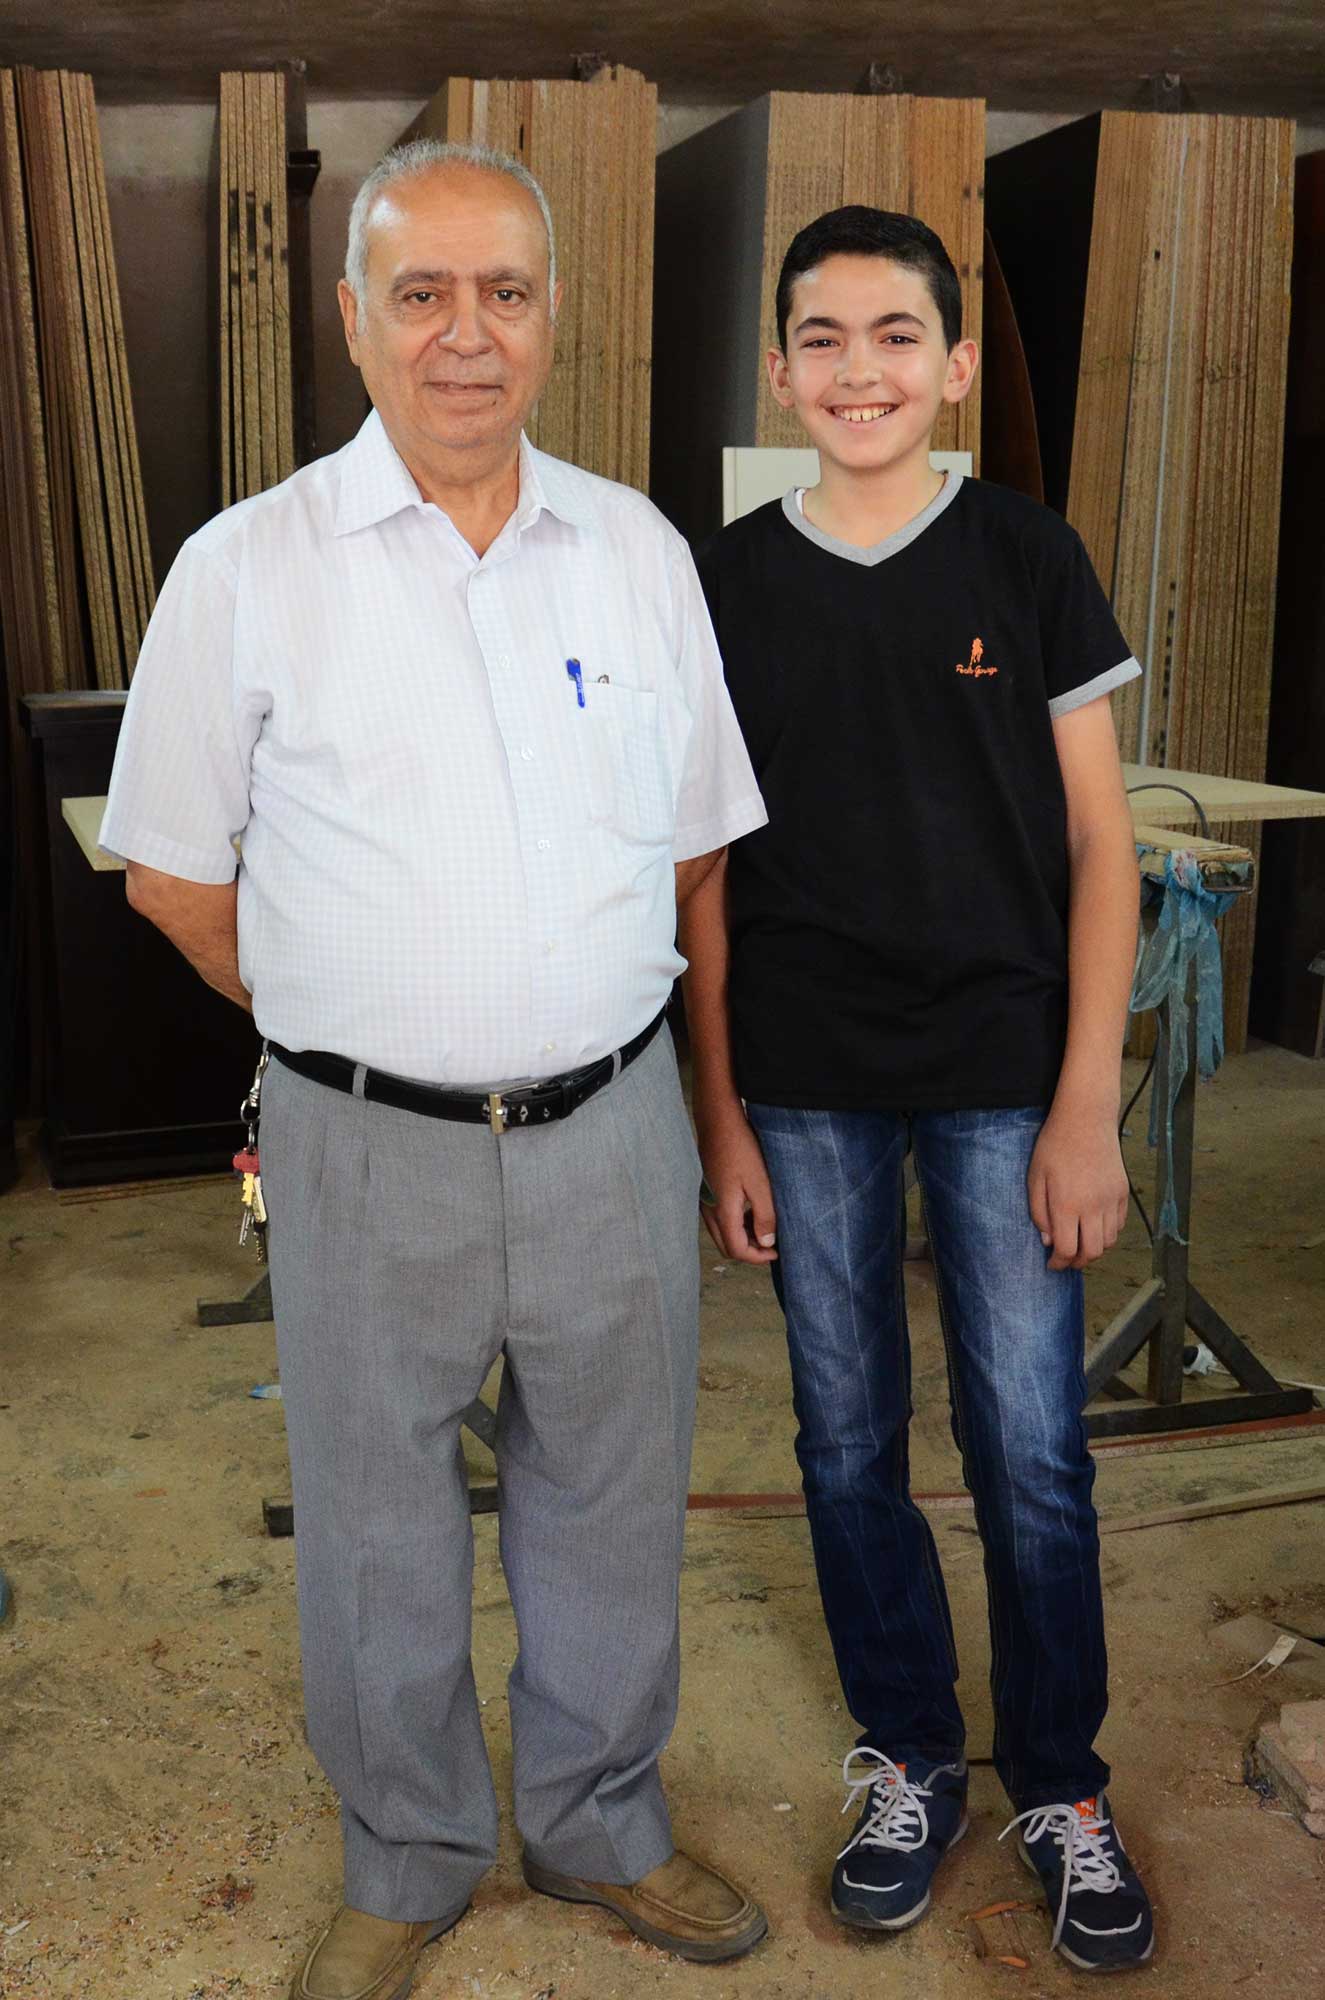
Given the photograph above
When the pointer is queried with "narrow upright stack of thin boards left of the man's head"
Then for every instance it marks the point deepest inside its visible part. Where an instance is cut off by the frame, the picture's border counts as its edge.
(257, 401)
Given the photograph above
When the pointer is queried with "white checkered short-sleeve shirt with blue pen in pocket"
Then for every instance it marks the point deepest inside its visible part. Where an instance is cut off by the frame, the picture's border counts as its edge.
(457, 851)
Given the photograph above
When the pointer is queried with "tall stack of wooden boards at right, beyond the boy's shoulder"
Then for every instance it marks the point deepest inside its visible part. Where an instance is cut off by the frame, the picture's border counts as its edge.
(1150, 257)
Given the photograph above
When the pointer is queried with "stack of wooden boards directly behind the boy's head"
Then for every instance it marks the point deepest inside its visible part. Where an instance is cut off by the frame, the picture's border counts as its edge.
(730, 203)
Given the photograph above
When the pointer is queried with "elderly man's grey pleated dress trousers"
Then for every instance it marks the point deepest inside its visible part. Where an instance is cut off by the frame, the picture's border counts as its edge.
(407, 1255)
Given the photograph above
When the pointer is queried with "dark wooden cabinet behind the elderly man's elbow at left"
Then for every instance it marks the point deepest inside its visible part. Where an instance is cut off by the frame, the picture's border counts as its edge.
(147, 1065)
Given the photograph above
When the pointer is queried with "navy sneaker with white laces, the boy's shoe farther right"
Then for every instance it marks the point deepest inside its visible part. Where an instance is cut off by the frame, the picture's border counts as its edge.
(1102, 1913)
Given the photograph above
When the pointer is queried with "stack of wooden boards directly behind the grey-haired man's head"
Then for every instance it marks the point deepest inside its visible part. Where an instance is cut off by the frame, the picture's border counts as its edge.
(591, 145)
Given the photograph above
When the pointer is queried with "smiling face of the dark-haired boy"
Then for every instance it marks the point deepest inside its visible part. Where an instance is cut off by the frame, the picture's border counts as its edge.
(868, 367)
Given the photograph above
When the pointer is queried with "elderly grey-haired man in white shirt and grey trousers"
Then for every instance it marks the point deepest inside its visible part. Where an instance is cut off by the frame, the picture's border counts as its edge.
(465, 709)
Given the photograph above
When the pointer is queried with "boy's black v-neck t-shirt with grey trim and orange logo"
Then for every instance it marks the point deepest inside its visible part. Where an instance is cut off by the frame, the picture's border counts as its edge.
(900, 927)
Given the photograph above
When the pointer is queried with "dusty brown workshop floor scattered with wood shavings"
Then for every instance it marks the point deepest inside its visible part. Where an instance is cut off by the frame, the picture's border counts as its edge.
(165, 1833)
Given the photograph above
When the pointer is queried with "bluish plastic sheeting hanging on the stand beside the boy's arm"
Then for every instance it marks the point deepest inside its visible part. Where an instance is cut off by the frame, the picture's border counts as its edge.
(1184, 935)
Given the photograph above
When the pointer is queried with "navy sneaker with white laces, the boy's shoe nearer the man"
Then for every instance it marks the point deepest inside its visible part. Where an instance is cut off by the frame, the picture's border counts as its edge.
(912, 1817)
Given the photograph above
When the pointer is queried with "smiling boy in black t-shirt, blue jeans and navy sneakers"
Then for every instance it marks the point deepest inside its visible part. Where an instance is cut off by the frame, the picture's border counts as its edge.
(930, 945)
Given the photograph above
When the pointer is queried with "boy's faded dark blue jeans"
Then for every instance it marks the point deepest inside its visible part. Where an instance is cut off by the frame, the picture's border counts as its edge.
(1016, 1337)
